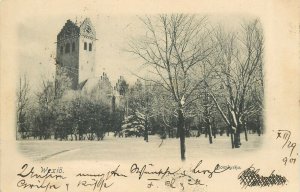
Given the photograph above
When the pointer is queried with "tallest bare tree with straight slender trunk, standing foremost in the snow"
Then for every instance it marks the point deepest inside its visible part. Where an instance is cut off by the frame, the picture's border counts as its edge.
(173, 47)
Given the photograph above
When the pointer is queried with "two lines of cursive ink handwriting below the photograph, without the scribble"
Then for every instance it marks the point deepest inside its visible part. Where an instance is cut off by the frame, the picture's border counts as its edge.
(155, 177)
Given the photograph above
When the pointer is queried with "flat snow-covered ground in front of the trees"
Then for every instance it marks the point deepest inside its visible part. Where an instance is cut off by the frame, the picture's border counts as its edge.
(127, 149)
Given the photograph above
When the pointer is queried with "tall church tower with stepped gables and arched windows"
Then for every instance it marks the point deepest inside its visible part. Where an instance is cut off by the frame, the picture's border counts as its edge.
(75, 52)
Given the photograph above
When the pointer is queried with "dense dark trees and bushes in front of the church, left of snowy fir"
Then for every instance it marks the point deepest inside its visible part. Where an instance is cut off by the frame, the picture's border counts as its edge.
(56, 112)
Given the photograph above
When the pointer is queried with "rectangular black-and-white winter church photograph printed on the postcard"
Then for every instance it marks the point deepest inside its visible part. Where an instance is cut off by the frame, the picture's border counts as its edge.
(162, 84)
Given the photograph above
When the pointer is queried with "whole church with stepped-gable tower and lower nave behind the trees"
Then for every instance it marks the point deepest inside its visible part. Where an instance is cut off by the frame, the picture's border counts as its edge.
(75, 57)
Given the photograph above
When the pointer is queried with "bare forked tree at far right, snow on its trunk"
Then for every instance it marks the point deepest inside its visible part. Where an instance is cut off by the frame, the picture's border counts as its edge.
(239, 64)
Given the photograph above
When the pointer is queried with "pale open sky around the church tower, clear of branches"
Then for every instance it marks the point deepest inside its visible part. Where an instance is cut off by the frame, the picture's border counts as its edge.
(37, 47)
